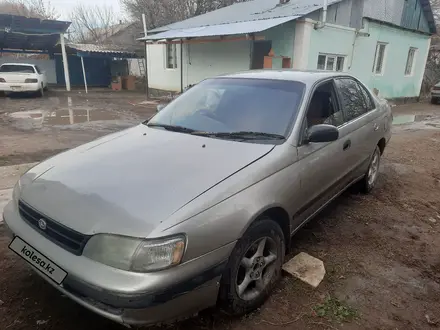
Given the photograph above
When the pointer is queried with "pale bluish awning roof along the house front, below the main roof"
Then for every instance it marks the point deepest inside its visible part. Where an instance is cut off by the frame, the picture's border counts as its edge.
(221, 29)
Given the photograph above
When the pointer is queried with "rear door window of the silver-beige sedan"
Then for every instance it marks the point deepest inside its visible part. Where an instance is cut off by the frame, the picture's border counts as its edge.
(352, 98)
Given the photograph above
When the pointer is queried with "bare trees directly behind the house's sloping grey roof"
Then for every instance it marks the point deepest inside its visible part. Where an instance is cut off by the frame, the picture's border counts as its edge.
(162, 12)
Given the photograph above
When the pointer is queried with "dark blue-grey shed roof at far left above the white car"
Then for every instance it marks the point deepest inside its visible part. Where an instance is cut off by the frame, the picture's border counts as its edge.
(19, 32)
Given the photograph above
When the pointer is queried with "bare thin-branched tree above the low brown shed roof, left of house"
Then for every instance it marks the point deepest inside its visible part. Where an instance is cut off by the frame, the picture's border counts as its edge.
(93, 24)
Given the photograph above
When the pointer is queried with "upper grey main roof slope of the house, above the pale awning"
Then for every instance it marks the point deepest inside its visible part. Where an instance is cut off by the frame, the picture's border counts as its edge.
(249, 11)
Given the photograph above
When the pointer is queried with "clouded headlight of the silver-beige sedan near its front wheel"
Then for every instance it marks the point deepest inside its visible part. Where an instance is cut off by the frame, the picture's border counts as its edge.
(134, 254)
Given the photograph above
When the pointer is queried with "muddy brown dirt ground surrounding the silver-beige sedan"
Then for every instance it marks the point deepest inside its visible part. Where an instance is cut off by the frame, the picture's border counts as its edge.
(381, 251)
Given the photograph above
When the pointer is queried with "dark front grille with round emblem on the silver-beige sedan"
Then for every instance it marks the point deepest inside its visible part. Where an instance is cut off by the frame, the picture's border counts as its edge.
(61, 235)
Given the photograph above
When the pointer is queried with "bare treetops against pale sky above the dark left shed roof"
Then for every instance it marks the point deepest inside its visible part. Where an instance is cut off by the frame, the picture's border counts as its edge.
(29, 8)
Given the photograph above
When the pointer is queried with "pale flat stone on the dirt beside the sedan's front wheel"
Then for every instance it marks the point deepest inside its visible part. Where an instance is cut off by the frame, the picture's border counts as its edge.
(306, 268)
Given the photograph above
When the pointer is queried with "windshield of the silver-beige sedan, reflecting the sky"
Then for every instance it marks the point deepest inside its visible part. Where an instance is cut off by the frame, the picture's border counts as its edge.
(234, 108)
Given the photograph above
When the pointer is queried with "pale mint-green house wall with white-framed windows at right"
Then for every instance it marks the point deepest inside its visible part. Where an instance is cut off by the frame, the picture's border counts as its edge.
(393, 83)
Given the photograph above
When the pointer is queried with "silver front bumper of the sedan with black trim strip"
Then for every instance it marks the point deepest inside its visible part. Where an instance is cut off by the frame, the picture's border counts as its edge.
(125, 297)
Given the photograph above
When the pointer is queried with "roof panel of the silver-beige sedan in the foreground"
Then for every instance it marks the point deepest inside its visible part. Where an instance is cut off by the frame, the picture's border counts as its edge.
(307, 77)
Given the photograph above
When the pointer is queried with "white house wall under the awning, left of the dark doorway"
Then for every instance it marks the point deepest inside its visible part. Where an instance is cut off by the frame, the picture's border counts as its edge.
(201, 61)
